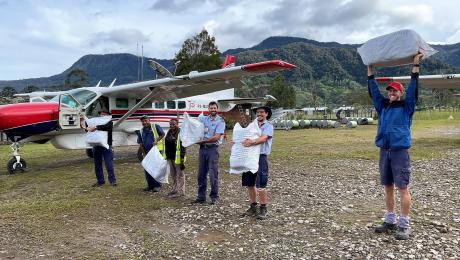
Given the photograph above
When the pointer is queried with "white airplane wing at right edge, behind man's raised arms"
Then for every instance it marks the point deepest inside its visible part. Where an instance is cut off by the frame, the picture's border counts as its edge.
(447, 81)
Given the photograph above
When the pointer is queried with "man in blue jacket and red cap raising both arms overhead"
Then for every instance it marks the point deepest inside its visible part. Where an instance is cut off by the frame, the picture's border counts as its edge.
(393, 138)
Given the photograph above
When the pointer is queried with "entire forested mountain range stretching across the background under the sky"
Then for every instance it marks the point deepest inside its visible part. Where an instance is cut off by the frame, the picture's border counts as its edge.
(324, 61)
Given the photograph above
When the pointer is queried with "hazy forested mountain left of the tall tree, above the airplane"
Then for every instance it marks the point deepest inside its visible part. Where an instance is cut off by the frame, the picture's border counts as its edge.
(107, 67)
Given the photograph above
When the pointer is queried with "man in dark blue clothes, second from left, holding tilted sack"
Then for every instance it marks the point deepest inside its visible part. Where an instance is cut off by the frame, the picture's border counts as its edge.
(147, 140)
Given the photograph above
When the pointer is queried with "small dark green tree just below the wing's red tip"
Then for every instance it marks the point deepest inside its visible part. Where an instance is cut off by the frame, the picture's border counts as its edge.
(285, 95)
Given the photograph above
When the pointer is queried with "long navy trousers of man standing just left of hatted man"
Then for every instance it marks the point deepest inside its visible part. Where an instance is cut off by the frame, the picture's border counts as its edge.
(209, 164)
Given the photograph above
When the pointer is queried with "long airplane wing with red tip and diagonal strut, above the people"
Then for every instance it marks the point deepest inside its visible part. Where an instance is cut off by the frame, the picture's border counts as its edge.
(195, 83)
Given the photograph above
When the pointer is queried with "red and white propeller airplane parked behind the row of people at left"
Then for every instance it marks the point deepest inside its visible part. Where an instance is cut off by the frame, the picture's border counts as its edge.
(58, 120)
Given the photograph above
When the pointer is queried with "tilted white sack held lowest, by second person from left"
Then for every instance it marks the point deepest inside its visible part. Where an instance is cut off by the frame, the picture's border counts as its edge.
(155, 165)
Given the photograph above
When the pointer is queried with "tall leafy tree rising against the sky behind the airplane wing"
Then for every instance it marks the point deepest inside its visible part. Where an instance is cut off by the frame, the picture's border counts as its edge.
(198, 54)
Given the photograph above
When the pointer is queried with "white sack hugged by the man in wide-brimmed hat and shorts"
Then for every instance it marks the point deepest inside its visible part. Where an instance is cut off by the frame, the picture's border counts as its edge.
(244, 159)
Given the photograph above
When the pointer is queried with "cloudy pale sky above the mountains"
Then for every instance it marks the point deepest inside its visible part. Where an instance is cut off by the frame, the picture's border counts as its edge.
(40, 38)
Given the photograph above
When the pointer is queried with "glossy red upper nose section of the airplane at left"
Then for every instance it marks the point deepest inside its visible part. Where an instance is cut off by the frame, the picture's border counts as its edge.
(17, 115)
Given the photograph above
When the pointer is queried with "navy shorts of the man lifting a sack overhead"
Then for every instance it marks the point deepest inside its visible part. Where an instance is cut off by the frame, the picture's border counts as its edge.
(395, 167)
